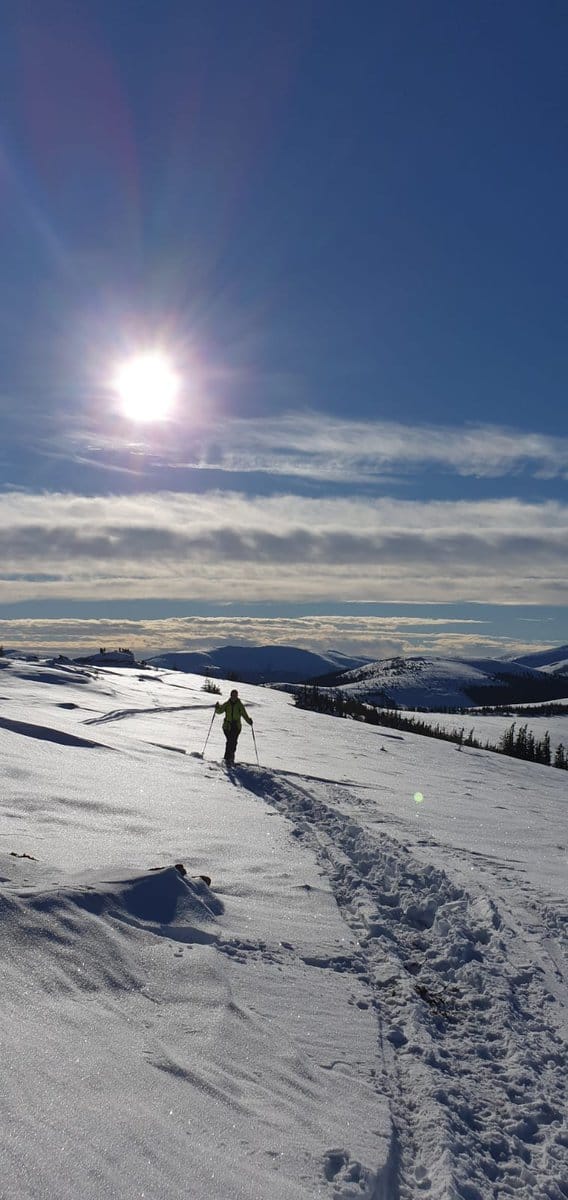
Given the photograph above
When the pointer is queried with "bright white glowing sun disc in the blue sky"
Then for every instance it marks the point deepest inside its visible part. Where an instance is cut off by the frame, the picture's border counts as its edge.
(147, 387)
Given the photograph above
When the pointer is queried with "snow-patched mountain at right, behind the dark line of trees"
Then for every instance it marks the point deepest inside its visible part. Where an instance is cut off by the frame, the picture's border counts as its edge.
(431, 682)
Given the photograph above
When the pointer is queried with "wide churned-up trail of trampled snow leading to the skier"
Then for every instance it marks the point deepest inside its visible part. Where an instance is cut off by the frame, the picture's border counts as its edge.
(452, 981)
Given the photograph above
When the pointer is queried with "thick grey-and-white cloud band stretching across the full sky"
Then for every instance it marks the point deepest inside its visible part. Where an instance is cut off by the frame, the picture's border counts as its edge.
(228, 547)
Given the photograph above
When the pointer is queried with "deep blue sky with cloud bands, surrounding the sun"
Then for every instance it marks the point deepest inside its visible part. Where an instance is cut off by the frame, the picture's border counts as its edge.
(345, 229)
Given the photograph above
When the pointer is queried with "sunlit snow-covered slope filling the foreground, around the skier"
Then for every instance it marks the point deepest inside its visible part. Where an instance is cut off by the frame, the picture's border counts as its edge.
(369, 1001)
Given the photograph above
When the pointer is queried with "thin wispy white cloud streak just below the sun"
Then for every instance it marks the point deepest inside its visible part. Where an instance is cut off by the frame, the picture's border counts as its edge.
(310, 446)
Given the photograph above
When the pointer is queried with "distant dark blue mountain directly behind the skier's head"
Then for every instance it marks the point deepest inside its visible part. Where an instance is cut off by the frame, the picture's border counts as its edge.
(259, 664)
